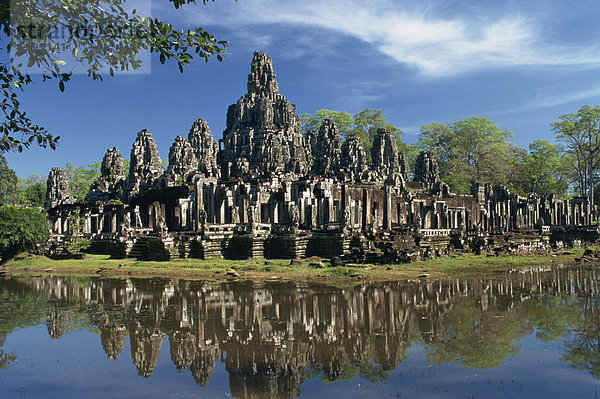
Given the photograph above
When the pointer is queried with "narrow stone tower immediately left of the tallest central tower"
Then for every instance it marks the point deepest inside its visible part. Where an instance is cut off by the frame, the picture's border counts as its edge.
(205, 148)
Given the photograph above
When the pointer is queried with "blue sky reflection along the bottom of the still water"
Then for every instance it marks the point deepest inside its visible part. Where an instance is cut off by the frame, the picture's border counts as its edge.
(76, 366)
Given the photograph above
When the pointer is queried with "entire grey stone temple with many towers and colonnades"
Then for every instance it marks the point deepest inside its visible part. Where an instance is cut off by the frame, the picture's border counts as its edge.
(267, 190)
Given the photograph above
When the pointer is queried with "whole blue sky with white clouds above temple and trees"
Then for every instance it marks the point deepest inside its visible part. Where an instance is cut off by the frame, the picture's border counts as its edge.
(521, 64)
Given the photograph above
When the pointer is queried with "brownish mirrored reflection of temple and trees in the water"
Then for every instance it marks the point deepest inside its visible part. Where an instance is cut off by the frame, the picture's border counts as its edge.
(271, 336)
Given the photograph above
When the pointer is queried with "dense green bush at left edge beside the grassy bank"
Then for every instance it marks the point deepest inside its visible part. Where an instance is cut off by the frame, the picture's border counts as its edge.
(21, 229)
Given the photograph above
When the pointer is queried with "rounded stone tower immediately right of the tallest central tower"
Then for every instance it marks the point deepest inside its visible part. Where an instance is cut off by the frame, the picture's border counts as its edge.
(326, 148)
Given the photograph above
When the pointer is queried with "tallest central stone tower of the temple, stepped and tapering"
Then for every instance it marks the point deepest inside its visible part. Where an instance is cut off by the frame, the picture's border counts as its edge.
(263, 131)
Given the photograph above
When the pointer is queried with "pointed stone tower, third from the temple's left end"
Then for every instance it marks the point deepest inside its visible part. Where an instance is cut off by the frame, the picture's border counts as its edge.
(145, 165)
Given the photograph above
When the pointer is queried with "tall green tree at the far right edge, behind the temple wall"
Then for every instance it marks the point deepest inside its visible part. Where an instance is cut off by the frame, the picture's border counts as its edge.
(580, 135)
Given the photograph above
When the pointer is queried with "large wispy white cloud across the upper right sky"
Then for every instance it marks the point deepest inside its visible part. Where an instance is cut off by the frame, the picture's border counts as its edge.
(434, 45)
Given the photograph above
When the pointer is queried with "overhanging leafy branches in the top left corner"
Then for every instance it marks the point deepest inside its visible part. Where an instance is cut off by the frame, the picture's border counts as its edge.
(55, 37)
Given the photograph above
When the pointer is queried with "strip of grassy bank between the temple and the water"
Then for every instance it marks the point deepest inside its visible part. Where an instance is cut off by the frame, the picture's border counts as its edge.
(279, 269)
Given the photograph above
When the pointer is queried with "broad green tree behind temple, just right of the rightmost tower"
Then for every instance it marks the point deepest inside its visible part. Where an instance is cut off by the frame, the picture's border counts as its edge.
(469, 150)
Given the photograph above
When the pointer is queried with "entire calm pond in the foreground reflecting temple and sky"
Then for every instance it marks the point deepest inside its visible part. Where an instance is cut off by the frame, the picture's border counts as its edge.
(533, 334)
